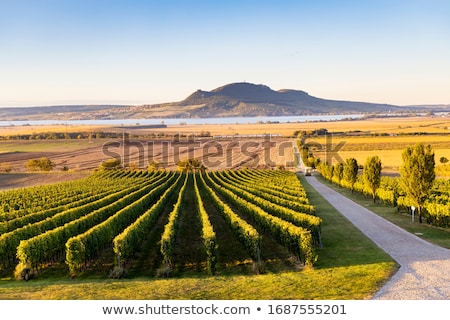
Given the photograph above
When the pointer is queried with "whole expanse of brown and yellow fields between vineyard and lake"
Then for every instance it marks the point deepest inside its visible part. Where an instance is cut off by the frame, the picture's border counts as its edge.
(245, 149)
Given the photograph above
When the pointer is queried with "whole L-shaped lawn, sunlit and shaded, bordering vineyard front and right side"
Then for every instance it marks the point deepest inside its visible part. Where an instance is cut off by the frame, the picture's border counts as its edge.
(350, 267)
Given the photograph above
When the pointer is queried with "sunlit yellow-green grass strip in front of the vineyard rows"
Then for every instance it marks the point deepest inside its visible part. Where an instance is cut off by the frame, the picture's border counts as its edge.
(348, 283)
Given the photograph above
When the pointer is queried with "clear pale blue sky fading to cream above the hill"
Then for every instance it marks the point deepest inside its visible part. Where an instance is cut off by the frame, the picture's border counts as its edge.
(128, 51)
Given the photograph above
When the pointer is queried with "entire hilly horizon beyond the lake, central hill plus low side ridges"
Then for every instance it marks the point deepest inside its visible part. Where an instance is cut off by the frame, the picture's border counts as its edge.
(232, 100)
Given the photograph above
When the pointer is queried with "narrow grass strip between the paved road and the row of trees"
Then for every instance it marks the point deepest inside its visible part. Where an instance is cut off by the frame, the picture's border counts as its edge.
(436, 235)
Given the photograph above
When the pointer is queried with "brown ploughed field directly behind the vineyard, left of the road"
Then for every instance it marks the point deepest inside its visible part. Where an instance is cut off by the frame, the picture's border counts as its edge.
(215, 154)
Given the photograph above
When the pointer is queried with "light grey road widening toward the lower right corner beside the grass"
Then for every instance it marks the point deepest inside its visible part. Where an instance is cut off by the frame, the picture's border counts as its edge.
(425, 268)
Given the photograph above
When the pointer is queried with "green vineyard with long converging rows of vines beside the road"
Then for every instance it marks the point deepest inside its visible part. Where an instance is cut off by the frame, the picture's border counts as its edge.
(160, 223)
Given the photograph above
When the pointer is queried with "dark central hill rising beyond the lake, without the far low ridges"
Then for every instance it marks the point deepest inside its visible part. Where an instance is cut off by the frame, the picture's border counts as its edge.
(247, 99)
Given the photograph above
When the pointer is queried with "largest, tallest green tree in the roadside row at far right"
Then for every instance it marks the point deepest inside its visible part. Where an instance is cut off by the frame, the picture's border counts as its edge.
(417, 174)
